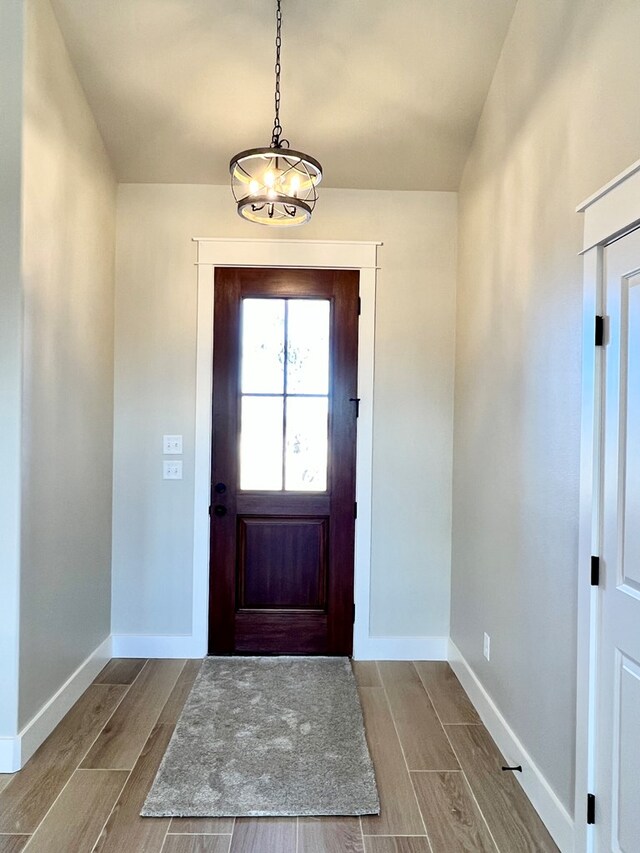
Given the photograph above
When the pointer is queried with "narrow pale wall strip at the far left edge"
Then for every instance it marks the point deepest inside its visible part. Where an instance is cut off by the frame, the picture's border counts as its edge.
(11, 45)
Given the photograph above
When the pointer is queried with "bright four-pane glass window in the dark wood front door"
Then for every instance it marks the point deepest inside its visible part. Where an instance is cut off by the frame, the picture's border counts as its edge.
(284, 386)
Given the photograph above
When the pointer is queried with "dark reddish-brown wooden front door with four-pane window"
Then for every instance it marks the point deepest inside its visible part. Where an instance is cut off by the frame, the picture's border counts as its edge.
(283, 461)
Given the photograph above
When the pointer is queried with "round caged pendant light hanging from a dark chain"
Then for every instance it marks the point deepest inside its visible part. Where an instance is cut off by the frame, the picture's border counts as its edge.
(275, 185)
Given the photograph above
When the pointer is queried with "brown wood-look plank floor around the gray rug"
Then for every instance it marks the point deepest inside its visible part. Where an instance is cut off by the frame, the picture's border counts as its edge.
(438, 774)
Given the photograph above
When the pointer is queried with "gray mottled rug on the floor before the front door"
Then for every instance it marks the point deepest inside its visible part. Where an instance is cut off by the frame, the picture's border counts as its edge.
(267, 736)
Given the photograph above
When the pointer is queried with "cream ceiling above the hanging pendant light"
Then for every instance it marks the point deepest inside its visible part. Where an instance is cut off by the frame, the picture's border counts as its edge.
(385, 93)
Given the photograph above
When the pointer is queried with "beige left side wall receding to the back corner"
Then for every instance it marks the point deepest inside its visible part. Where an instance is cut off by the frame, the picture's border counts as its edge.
(68, 259)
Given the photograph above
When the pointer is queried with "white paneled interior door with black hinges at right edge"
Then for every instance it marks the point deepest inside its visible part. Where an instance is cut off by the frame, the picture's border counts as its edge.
(618, 714)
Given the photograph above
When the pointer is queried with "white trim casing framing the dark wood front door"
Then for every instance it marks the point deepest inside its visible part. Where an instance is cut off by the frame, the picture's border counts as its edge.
(317, 254)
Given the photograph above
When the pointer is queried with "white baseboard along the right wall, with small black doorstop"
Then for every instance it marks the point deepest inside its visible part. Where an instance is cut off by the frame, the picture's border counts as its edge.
(553, 814)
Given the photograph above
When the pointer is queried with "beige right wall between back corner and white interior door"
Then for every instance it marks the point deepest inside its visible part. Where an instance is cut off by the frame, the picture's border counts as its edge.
(561, 119)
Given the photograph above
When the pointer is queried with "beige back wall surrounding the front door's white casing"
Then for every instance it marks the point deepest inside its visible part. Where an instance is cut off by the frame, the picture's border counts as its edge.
(155, 394)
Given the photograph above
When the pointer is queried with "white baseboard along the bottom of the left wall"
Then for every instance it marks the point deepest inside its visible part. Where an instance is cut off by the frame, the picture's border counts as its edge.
(16, 751)
